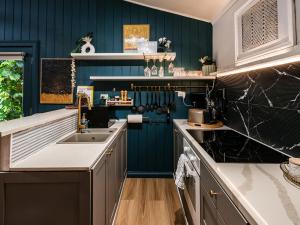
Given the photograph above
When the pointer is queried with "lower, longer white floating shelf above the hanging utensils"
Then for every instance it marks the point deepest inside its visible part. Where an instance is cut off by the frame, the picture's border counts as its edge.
(142, 78)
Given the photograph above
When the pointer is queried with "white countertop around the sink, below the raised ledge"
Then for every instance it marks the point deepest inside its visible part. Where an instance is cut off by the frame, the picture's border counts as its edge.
(64, 157)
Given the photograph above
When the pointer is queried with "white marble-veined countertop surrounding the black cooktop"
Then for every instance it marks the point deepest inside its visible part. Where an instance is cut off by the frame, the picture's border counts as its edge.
(259, 190)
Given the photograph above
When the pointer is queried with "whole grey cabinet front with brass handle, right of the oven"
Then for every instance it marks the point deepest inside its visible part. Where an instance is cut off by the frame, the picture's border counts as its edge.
(216, 207)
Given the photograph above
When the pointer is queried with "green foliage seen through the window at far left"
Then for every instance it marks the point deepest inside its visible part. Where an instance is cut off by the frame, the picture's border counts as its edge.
(11, 89)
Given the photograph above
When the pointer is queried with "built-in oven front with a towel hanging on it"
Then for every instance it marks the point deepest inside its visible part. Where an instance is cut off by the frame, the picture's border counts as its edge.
(191, 192)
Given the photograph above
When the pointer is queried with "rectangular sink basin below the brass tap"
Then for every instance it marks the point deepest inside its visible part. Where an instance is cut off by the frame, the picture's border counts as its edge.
(89, 136)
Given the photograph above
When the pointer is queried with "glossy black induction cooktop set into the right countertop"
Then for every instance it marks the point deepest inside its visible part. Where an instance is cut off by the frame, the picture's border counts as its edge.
(230, 146)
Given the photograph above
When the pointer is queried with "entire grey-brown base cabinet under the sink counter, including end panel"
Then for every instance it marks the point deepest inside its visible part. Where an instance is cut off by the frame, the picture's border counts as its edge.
(66, 198)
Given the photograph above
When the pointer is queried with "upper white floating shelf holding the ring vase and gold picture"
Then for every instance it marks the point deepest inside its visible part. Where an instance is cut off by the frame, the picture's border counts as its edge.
(123, 56)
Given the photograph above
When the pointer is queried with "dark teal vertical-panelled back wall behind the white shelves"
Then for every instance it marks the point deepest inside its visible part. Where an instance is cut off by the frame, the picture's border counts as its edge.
(57, 24)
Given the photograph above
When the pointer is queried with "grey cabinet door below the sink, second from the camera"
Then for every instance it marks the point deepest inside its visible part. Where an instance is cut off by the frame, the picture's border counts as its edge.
(111, 183)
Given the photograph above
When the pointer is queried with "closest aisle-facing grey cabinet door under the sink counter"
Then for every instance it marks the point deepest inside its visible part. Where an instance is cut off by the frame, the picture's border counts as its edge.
(99, 193)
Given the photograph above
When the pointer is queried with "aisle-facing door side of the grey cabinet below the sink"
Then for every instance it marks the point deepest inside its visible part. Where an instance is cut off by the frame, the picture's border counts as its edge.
(108, 177)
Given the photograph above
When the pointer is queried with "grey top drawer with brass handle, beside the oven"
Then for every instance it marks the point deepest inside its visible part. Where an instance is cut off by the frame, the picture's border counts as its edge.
(224, 206)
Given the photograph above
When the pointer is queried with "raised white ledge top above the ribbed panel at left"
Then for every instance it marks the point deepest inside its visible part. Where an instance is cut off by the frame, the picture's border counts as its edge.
(16, 125)
